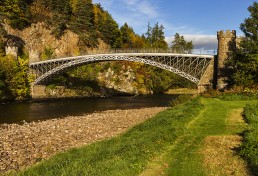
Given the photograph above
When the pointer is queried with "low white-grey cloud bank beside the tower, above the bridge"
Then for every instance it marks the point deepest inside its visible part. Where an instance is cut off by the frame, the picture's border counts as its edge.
(206, 42)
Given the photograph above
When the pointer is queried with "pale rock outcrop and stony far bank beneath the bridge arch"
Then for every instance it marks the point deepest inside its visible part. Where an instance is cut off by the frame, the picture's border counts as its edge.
(122, 81)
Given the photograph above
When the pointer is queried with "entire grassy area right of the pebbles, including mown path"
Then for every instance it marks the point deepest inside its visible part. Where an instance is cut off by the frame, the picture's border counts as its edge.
(175, 142)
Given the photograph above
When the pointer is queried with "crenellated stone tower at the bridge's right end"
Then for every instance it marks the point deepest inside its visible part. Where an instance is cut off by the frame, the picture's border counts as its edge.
(226, 45)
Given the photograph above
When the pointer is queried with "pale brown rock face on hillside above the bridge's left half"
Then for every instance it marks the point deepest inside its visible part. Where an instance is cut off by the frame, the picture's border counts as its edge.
(39, 37)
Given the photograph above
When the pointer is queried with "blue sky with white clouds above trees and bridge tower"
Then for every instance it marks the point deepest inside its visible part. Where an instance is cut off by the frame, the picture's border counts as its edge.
(196, 20)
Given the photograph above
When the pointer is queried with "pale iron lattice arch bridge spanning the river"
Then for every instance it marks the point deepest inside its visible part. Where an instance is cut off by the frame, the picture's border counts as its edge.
(189, 66)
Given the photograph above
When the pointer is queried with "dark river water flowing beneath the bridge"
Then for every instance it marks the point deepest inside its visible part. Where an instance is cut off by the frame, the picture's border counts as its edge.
(33, 111)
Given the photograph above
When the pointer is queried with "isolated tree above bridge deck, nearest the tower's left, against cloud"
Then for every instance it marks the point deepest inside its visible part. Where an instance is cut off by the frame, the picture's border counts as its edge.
(179, 45)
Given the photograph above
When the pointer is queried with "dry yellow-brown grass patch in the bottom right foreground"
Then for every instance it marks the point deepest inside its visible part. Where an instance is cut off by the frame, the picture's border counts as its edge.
(220, 156)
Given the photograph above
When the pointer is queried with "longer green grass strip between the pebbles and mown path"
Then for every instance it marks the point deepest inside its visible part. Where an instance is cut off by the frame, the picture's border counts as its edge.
(127, 154)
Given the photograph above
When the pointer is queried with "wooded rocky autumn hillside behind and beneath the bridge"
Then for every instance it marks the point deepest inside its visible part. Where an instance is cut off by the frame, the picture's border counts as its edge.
(47, 29)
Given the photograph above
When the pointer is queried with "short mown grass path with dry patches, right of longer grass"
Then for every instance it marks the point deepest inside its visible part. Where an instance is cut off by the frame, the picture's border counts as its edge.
(218, 120)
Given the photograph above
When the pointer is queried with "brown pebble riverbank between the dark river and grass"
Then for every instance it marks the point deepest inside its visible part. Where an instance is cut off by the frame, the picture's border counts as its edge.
(24, 145)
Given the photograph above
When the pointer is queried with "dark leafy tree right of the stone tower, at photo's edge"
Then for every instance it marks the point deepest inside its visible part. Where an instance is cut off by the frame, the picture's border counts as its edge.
(244, 62)
